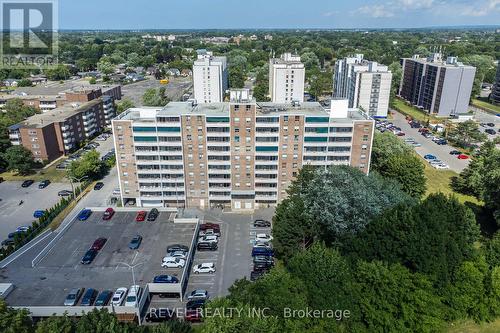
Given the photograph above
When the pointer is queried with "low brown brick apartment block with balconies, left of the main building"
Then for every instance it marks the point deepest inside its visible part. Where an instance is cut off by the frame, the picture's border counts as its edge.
(57, 132)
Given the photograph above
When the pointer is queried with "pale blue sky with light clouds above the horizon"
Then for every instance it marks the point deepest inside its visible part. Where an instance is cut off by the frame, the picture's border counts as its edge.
(300, 14)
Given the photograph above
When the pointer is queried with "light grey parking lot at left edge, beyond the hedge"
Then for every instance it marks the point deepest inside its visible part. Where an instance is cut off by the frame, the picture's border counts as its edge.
(14, 215)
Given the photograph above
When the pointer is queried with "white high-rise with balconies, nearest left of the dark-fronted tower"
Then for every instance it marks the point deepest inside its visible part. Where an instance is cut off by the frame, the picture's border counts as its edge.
(366, 84)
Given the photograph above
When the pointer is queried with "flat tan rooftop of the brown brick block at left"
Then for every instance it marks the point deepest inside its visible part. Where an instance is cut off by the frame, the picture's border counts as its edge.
(59, 114)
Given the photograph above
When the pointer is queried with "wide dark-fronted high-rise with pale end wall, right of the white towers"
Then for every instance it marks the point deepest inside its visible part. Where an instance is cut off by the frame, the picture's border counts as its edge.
(442, 88)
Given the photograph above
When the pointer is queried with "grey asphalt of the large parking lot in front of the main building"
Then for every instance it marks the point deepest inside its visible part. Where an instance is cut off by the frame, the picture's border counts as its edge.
(50, 281)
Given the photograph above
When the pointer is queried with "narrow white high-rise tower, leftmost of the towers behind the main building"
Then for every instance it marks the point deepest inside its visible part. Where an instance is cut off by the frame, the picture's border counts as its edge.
(210, 77)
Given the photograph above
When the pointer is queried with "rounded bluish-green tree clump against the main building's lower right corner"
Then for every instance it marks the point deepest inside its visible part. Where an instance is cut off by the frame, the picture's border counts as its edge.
(328, 204)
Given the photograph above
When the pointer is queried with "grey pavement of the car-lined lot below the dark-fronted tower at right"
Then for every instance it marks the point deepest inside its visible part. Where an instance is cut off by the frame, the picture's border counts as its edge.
(429, 147)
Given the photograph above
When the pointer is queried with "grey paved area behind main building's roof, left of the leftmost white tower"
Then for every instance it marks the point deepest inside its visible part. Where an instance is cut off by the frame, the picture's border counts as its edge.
(174, 89)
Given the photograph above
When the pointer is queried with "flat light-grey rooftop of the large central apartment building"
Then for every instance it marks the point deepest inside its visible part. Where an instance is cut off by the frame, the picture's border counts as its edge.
(222, 110)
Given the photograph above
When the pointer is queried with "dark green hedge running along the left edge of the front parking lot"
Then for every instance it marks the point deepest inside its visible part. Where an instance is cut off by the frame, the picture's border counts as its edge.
(22, 235)
